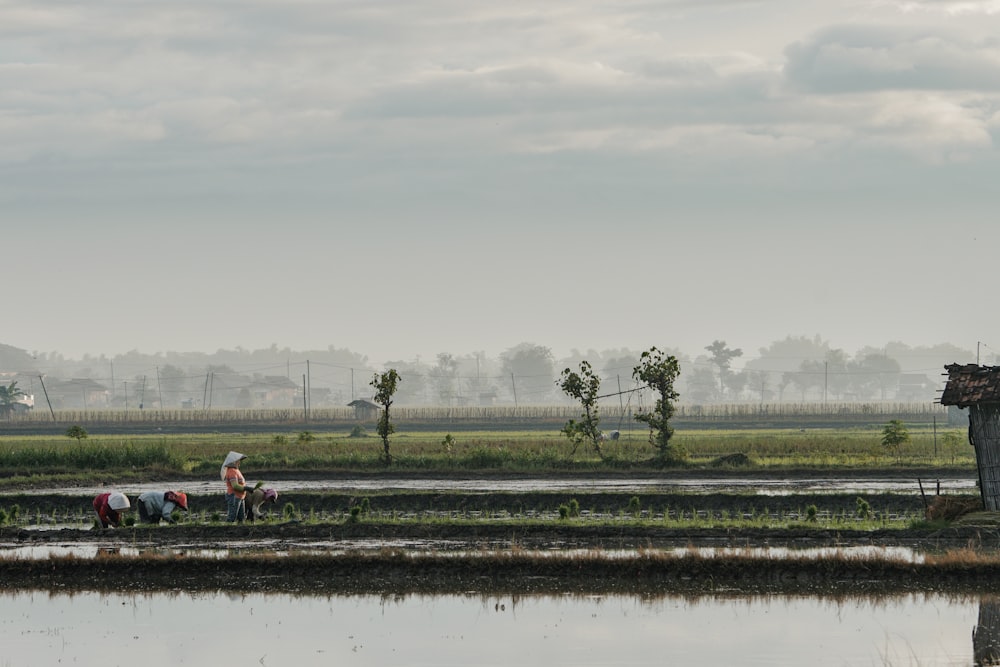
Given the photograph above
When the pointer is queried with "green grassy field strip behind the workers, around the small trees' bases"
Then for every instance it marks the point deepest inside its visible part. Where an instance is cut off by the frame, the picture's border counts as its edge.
(502, 452)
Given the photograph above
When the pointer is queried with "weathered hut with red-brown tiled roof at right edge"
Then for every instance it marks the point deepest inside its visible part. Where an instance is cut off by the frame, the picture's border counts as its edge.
(978, 388)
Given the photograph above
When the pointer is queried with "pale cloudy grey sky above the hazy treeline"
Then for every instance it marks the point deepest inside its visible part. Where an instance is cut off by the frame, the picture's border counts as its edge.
(408, 178)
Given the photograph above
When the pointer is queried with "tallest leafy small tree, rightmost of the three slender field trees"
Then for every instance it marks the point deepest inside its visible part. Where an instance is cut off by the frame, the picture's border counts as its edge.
(659, 371)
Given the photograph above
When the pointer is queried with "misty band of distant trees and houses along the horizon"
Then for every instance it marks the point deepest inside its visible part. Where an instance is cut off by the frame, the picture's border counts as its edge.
(792, 369)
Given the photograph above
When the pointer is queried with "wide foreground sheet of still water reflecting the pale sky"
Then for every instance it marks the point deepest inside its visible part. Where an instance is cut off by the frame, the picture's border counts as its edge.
(151, 630)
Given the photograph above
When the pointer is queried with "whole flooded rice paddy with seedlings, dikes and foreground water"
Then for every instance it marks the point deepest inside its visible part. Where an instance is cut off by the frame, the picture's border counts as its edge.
(486, 572)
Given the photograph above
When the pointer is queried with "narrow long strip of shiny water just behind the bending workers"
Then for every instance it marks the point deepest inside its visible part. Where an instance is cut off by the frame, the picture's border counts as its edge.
(616, 485)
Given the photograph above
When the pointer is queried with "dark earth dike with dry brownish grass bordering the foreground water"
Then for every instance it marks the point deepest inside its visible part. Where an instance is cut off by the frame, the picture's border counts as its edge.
(511, 571)
